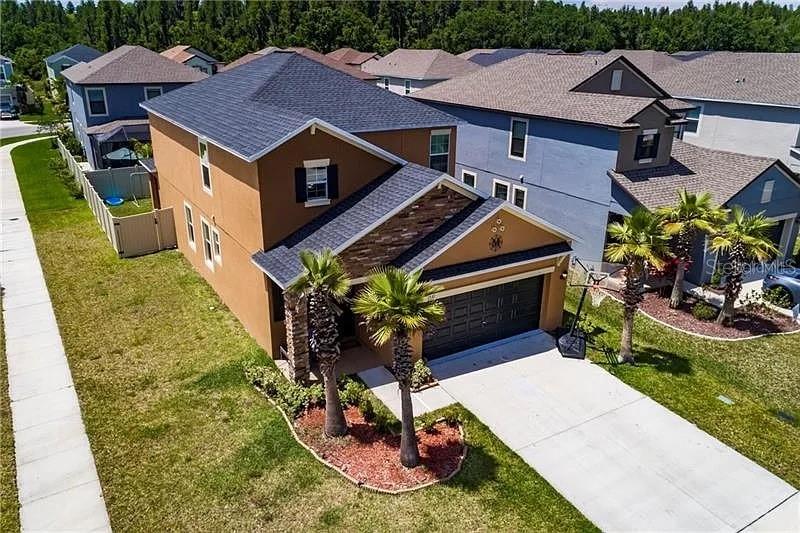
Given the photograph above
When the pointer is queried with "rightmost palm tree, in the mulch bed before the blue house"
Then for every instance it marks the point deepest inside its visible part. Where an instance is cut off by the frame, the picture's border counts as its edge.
(743, 238)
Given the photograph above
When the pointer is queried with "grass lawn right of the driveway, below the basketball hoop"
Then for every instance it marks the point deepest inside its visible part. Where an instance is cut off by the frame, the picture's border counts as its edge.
(686, 374)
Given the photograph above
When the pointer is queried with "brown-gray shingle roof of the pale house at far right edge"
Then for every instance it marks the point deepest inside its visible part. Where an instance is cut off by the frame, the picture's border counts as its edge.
(769, 78)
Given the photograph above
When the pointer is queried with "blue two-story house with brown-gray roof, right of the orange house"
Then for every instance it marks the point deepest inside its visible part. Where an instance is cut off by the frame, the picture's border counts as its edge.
(551, 133)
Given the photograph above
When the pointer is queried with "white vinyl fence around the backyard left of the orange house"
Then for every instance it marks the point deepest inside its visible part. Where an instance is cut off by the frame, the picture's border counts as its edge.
(133, 235)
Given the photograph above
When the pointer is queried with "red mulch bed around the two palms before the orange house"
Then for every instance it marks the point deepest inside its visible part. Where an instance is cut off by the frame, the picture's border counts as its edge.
(373, 458)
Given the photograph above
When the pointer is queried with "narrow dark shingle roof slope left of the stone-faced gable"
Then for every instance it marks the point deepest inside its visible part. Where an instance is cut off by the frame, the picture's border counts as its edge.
(345, 220)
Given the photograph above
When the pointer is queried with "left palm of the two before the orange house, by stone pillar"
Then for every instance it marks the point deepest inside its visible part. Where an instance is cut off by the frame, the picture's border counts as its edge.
(325, 282)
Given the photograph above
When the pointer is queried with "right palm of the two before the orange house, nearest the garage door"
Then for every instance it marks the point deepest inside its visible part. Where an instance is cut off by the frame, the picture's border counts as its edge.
(395, 304)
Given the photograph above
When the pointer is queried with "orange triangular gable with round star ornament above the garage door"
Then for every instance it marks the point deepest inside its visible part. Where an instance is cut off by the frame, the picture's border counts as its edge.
(505, 227)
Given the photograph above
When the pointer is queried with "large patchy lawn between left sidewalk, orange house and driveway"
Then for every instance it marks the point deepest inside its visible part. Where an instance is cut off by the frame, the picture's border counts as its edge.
(182, 442)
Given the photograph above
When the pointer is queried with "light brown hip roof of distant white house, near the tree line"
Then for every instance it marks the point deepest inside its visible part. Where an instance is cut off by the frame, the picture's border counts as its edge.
(421, 65)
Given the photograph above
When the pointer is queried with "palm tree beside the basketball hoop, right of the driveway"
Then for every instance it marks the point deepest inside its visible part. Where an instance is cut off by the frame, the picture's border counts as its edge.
(640, 241)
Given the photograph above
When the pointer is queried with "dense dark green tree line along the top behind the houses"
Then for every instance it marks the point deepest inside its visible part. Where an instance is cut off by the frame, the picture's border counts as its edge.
(32, 30)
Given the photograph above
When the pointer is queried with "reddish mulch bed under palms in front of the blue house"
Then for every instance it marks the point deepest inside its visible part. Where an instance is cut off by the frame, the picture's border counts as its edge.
(745, 325)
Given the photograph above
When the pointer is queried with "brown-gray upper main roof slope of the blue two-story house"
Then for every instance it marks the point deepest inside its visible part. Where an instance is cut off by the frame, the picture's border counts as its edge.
(539, 85)
